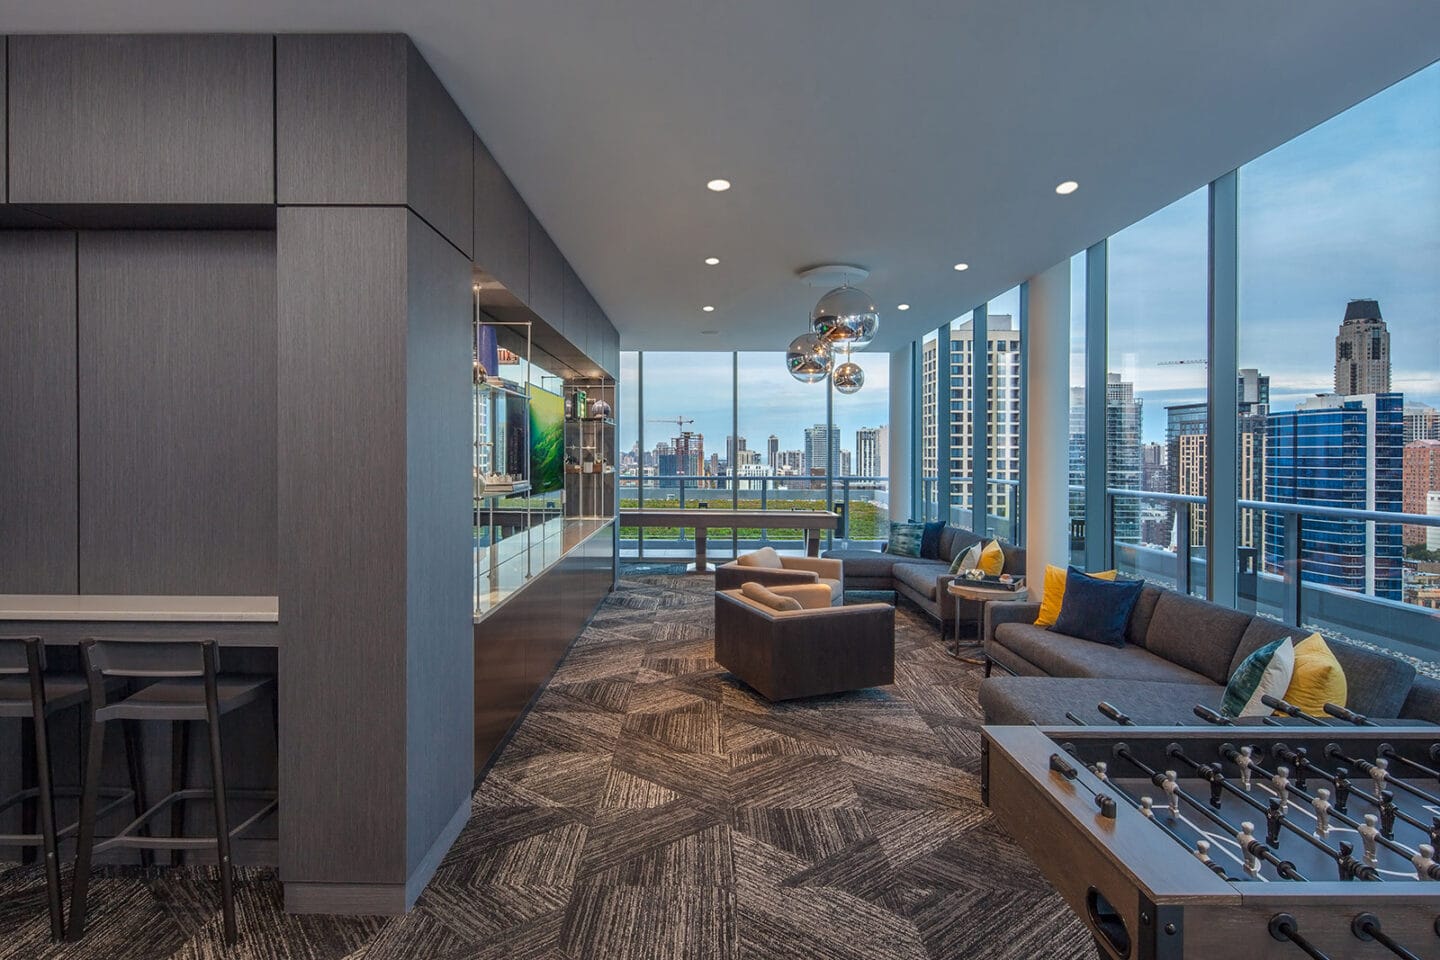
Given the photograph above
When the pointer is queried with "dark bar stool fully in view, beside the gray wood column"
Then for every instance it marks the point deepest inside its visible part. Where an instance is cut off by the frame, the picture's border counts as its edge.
(185, 686)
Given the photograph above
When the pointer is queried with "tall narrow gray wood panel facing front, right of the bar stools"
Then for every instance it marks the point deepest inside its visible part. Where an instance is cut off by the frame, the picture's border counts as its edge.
(342, 281)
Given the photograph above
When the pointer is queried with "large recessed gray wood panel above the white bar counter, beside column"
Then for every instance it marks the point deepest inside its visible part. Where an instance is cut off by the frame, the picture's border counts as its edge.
(178, 414)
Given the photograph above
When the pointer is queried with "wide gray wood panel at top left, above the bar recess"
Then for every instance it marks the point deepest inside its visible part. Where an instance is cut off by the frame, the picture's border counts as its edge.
(158, 119)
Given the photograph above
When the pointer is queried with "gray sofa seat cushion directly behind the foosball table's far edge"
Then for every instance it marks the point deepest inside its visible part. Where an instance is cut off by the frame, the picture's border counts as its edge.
(1045, 700)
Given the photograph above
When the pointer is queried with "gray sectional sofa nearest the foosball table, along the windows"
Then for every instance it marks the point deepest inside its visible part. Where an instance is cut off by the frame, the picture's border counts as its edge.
(1180, 651)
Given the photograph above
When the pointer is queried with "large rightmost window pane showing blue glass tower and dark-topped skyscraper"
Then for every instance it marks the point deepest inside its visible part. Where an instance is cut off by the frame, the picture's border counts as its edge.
(1340, 366)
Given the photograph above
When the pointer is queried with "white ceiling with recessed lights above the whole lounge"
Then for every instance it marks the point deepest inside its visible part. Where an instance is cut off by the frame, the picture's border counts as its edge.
(899, 136)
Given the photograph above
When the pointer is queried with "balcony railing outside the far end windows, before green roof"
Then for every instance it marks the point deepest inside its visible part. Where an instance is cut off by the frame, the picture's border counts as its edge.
(863, 504)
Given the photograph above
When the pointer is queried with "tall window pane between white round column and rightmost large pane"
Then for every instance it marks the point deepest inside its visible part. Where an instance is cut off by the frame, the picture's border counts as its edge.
(1156, 389)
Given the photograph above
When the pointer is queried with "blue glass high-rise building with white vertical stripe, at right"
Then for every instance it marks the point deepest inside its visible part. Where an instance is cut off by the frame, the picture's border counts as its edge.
(1338, 451)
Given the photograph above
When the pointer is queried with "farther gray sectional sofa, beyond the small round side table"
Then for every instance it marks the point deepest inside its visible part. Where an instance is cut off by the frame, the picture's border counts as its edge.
(924, 582)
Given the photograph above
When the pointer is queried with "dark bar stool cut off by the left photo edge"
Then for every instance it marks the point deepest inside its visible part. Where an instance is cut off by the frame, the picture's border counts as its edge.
(32, 696)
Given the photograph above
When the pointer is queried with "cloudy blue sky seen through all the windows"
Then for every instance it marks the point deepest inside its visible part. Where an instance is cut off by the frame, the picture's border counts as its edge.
(1350, 209)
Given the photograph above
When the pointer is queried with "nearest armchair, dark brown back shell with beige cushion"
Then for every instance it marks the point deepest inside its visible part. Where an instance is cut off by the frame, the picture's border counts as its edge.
(804, 653)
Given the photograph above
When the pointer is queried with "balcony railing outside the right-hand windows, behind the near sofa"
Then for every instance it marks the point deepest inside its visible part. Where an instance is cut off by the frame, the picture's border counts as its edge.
(1288, 588)
